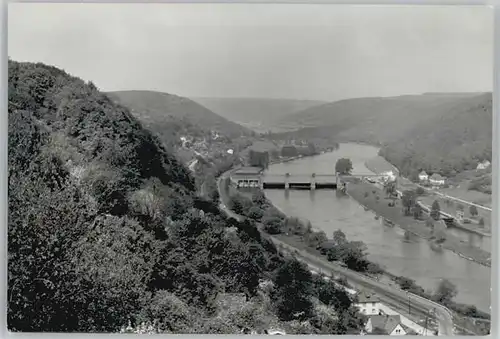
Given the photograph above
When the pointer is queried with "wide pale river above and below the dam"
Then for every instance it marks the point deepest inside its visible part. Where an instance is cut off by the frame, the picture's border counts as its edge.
(387, 246)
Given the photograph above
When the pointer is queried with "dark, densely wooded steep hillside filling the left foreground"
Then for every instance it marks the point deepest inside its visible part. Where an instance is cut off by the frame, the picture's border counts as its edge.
(105, 230)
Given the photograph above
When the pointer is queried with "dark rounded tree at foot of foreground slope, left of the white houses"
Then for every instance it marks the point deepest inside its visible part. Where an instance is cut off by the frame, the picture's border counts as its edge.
(293, 279)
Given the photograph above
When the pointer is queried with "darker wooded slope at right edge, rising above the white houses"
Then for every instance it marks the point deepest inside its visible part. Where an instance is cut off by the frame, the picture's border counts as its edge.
(447, 143)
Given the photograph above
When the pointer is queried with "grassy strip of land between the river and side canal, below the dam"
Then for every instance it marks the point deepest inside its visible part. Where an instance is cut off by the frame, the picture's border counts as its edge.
(366, 195)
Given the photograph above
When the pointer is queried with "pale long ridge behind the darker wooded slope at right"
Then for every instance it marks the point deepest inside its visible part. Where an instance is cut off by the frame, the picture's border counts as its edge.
(368, 117)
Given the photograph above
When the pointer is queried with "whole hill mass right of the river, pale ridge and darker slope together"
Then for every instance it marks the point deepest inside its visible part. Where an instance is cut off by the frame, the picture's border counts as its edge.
(434, 131)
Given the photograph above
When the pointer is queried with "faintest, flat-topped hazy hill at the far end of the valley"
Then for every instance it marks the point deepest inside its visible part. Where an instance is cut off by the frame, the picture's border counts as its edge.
(257, 113)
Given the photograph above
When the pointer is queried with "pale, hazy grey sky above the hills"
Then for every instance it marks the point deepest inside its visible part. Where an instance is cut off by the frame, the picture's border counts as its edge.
(320, 52)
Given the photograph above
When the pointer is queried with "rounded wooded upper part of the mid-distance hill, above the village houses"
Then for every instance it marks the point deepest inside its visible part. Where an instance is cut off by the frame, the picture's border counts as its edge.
(156, 107)
